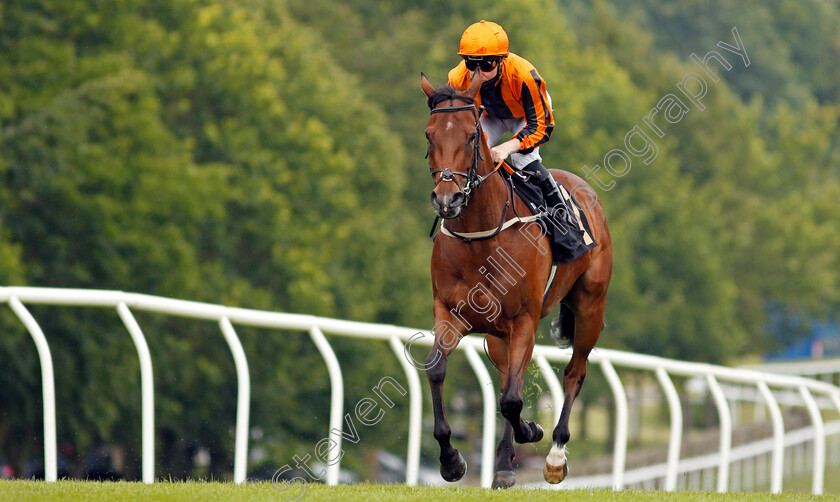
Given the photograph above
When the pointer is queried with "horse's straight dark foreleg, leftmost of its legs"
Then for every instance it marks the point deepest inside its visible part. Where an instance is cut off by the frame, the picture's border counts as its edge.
(448, 332)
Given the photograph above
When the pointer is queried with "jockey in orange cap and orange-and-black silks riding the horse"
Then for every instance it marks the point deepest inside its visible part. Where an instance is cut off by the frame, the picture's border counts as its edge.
(515, 100)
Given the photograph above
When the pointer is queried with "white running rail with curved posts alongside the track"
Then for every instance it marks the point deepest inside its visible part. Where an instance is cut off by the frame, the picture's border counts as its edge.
(318, 327)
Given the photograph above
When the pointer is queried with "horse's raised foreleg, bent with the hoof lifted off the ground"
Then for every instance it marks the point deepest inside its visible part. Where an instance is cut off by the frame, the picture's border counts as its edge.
(520, 349)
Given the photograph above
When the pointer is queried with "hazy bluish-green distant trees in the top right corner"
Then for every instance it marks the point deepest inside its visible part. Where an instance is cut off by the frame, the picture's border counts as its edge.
(792, 43)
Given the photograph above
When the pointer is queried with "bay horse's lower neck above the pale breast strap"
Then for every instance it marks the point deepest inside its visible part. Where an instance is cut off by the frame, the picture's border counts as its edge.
(486, 206)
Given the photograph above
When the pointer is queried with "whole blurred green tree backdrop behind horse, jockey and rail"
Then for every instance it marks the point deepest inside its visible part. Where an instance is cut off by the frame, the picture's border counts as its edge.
(269, 154)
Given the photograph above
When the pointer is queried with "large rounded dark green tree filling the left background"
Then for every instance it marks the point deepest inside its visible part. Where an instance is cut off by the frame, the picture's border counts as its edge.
(195, 151)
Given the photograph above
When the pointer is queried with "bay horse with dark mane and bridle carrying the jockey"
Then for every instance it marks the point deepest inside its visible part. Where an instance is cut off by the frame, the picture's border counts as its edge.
(474, 204)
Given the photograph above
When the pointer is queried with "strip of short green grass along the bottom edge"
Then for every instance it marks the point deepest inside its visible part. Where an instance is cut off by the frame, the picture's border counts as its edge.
(229, 492)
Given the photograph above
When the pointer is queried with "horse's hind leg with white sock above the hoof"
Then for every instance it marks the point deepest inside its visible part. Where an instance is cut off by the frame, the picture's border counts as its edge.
(588, 320)
